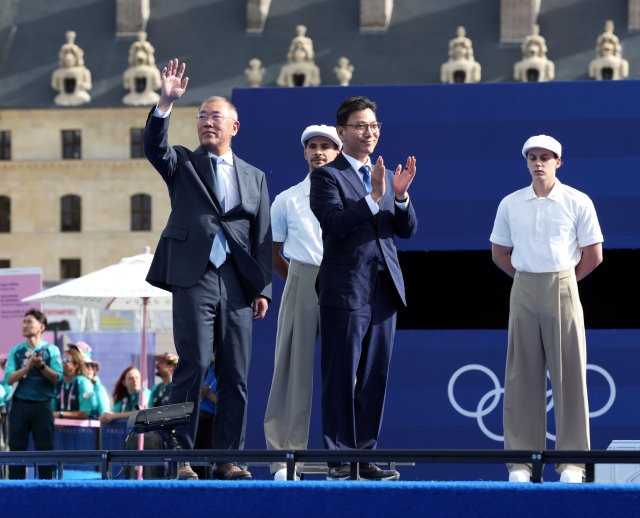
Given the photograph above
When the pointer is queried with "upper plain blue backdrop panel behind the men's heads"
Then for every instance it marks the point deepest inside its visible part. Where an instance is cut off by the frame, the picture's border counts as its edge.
(467, 140)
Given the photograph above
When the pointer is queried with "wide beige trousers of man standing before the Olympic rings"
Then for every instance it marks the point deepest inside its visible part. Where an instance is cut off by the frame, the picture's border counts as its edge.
(546, 330)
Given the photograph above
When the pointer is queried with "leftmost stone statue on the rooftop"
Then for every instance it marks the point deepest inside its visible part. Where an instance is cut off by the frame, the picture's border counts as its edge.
(72, 79)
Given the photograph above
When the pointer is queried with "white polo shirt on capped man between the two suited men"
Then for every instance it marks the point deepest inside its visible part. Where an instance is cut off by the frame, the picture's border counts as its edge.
(293, 224)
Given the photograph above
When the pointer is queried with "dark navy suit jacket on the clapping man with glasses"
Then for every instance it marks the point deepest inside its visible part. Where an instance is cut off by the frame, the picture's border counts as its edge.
(353, 237)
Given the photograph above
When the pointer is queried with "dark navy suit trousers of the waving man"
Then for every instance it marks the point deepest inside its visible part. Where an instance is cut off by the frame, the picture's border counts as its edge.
(213, 316)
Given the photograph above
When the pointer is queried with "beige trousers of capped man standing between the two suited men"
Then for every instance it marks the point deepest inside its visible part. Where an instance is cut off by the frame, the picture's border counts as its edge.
(286, 423)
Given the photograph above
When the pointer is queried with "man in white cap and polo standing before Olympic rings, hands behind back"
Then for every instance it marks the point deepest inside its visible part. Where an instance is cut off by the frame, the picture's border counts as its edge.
(547, 237)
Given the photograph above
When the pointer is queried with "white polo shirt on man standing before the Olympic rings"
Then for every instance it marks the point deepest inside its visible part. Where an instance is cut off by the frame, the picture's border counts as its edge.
(546, 233)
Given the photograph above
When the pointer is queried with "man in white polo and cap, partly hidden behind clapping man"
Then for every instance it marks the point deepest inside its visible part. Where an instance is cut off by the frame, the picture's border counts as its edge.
(296, 232)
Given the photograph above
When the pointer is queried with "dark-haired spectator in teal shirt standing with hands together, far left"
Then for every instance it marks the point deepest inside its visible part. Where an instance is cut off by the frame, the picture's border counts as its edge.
(33, 369)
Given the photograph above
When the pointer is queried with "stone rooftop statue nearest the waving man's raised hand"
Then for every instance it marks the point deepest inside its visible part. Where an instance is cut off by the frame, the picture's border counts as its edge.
(142, 77)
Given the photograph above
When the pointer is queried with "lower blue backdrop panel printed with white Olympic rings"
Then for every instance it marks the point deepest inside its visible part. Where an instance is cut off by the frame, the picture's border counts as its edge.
(420, 413)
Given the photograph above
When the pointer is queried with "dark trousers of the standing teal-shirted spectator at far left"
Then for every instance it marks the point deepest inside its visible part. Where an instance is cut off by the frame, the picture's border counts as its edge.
(33, 417)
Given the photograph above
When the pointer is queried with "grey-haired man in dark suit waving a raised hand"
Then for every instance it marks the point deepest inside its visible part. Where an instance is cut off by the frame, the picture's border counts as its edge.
(218, 204)
